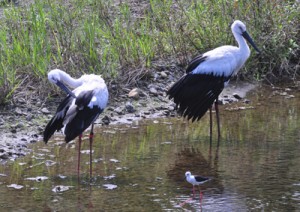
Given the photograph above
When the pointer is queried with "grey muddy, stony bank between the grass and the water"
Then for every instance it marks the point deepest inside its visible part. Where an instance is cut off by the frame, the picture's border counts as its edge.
(23, 122)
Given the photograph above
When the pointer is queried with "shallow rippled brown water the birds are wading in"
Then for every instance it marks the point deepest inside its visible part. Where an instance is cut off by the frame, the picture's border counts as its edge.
(140, 167)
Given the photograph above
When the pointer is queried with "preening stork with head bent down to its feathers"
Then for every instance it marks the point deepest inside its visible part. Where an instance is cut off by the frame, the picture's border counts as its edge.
(79, 109)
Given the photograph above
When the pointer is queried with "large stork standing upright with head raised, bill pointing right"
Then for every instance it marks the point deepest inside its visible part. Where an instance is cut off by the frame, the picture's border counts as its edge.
(208, 74)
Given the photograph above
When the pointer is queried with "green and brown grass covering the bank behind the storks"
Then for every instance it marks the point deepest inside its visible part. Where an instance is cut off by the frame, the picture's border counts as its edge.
(129, 39)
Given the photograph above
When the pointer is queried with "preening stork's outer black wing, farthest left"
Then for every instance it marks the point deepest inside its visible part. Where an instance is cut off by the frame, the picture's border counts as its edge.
(56, 123)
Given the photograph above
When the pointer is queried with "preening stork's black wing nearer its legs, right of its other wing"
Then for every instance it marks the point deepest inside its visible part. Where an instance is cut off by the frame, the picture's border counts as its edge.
(81, 115)
